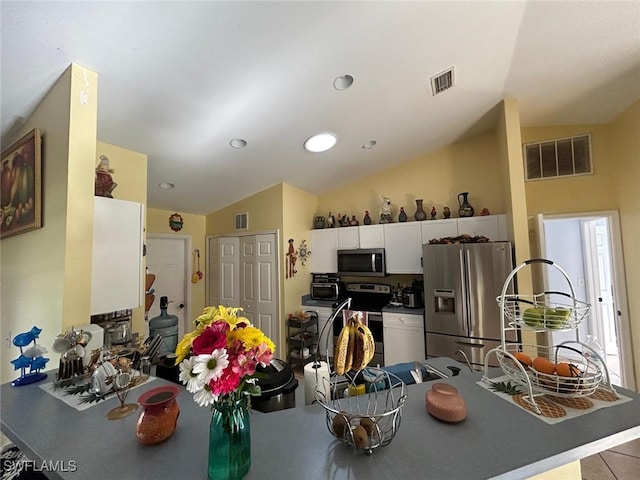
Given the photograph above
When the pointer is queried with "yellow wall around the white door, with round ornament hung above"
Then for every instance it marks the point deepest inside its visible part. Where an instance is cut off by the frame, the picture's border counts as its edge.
(194, 226)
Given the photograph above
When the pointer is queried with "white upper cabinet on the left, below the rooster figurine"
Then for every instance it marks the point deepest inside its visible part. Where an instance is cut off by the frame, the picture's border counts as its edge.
(116, 274)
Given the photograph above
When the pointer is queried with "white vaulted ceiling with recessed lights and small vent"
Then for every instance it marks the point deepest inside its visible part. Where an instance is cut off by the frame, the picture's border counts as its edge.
(179, 80)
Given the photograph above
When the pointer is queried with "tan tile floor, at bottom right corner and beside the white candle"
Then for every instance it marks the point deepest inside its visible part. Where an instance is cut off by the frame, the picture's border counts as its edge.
(619, 463)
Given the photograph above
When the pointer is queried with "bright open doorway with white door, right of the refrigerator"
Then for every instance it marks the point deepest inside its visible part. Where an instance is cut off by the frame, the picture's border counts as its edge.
(588, 247)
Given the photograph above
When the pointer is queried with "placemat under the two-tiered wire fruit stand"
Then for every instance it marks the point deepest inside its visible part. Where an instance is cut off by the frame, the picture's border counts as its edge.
(556, 409)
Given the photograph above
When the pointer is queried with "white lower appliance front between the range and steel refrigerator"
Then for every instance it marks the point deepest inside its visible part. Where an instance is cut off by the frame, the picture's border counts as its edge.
(403, 337)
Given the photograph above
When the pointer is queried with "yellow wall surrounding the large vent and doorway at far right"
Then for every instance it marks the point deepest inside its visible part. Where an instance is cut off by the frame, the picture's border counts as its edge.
(613, 186)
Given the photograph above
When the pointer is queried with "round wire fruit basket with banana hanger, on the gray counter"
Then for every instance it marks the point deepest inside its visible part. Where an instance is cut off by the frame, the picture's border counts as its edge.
(370, 415)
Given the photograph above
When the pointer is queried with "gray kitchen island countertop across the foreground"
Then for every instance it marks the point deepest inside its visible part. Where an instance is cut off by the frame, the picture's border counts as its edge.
(496, 440)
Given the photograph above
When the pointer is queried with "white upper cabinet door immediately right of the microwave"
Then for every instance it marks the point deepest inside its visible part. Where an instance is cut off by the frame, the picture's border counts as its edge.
(403, 247)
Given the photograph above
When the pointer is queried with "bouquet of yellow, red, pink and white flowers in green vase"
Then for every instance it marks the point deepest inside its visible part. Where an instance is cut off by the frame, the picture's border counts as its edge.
(218, 359)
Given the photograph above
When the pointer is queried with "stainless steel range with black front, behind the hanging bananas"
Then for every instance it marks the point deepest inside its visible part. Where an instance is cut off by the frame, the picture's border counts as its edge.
(369, 298)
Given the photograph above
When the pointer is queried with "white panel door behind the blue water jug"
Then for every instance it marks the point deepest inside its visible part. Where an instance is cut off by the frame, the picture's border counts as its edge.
(168, 259)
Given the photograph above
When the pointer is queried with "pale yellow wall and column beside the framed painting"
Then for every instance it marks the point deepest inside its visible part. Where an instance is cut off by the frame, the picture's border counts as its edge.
(46, 273)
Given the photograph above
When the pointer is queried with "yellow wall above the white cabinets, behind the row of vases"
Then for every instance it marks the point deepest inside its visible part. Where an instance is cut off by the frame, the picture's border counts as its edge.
(437, 178)
